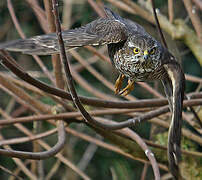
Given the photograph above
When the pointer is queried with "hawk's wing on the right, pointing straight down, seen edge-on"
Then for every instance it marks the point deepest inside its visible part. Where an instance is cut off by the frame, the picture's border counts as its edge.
(174, 86)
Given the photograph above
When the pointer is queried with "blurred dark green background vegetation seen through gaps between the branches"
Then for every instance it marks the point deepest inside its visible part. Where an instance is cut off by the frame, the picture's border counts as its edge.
(100, 163)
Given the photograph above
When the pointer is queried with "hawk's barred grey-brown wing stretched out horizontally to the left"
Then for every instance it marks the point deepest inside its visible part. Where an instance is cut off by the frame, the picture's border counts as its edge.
(101, 31)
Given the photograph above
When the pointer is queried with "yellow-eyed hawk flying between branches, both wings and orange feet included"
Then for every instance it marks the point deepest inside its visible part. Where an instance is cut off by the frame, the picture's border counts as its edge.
(133, 52)
